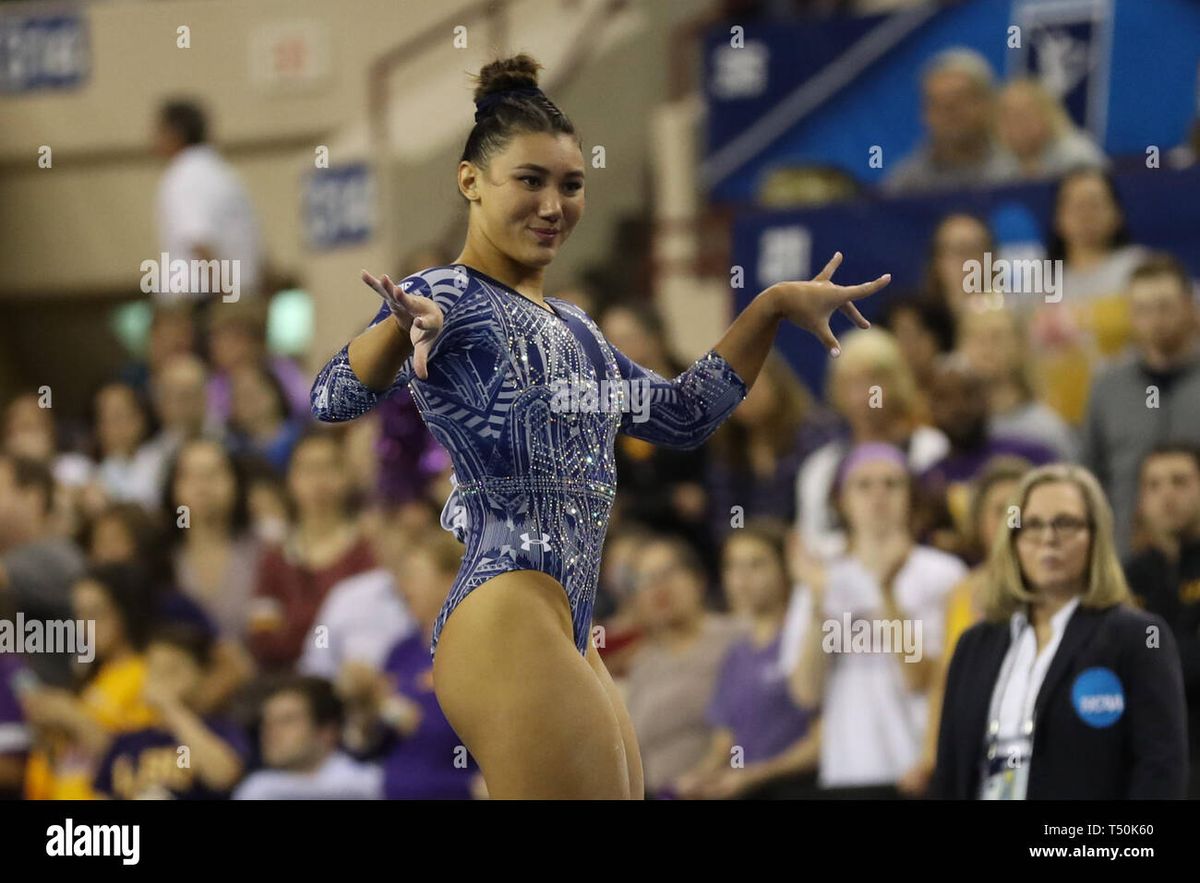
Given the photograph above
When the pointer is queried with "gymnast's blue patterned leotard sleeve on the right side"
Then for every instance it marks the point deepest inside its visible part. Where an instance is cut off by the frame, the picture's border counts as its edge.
(685, 412)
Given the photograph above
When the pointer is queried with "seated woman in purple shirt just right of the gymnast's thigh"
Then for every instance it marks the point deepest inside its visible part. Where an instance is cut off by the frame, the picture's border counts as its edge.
(765, 746)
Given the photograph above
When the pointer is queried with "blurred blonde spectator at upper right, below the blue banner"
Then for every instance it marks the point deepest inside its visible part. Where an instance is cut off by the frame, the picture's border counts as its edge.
(1037, 131)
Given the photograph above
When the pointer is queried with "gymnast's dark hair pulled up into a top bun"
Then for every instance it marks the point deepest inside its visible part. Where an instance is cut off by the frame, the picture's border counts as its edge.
(518, 113)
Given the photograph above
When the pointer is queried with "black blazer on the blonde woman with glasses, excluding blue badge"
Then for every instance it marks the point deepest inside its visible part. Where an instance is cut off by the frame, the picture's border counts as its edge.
(1142, 756)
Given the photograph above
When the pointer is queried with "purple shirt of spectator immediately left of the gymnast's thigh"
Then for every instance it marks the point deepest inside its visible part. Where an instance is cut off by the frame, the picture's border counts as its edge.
(424, 765)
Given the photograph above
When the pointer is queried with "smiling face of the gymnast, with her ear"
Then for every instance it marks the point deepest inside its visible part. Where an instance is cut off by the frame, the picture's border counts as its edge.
(530, 197)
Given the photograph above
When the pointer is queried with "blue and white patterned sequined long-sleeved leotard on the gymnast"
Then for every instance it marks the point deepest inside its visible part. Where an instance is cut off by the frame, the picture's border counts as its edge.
(508, 397)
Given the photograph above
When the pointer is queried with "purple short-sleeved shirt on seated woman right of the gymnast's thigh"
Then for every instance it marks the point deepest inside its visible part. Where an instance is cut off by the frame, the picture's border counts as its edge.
(753, 701)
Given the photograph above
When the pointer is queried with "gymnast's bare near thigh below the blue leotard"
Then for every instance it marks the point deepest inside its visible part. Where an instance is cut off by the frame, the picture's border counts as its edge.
(527, 706)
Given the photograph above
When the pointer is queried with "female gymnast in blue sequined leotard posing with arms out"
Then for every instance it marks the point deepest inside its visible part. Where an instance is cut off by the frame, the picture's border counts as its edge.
(487, 358)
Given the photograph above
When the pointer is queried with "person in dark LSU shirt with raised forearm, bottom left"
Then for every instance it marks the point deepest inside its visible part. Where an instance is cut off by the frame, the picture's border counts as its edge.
(147, 764)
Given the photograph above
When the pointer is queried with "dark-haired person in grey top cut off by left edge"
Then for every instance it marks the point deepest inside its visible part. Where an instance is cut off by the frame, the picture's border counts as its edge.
(38, 567)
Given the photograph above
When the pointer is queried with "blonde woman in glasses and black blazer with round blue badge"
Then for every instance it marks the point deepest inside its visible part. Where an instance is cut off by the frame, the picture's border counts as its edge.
(1065, 692)
